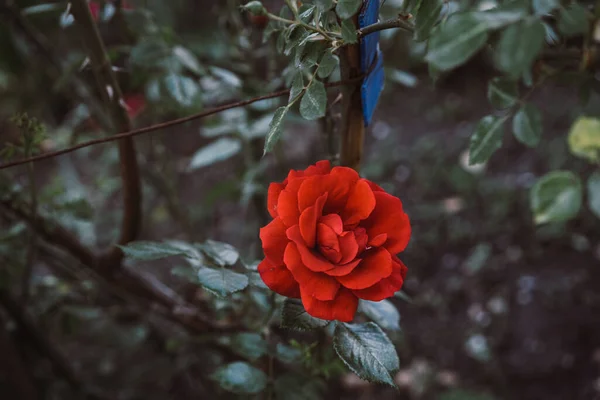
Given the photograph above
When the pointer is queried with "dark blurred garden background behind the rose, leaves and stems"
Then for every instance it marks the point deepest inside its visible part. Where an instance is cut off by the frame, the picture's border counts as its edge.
(498, 308)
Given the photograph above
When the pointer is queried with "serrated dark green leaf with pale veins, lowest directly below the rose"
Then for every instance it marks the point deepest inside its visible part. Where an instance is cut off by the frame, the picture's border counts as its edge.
(367, 351)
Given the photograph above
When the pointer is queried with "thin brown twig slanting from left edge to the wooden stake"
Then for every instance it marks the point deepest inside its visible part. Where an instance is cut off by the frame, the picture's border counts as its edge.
(164, 125)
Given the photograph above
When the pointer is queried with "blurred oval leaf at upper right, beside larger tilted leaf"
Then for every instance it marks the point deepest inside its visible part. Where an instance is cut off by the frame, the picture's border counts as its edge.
(519, 45)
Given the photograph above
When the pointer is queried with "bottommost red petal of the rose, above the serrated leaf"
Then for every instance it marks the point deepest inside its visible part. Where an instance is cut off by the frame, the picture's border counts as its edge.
(342, 308)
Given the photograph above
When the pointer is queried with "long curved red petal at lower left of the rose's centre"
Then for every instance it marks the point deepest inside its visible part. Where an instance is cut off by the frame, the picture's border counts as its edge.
(315, 284)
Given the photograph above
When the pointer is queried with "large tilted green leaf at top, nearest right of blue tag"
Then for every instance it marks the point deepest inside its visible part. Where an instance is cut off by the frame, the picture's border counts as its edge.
(455, 41)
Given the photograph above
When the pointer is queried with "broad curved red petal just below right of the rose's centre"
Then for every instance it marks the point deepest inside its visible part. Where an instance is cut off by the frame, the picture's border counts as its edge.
(373, 268)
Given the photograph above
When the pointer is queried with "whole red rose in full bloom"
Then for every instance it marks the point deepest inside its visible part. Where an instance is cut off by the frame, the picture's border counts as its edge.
(333, 240)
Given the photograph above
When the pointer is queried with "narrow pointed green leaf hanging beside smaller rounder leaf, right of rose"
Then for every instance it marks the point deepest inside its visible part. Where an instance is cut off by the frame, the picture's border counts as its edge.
(486, 139)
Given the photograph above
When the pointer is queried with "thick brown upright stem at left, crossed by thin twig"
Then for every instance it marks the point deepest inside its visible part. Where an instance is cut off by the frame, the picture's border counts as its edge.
(113, 98)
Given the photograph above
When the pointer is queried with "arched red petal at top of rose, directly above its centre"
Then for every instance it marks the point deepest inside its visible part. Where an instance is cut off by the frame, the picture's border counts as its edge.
(337, 184)
